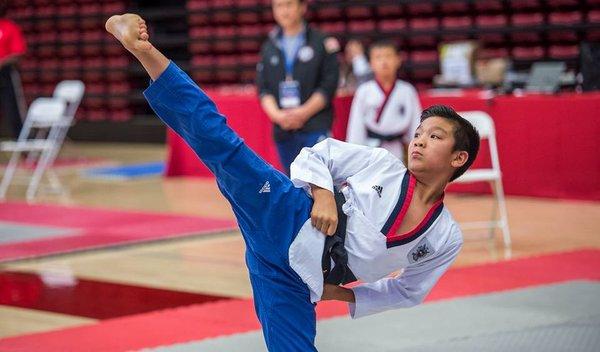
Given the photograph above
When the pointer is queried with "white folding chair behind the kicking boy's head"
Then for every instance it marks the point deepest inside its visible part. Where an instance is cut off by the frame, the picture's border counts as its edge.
(485, 125)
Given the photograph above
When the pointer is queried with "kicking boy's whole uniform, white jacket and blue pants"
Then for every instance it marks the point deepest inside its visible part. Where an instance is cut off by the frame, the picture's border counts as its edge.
(283, 250)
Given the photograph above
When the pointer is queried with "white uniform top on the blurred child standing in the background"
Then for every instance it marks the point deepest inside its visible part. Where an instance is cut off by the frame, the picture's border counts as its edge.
(384, 119)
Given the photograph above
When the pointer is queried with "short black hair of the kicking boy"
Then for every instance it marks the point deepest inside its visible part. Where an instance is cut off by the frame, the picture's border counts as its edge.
(466, 136)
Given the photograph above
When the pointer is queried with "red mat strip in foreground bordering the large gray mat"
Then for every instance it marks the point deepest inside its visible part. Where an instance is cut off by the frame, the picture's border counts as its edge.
(236, 316)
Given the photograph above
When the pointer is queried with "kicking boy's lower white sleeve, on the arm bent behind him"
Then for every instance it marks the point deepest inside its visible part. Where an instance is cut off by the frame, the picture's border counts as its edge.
(408, 290)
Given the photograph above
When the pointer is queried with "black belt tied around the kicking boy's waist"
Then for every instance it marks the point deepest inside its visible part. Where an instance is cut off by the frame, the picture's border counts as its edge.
(334, 249)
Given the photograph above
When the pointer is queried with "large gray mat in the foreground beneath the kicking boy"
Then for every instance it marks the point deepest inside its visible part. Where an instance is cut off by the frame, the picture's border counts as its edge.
(560, 317)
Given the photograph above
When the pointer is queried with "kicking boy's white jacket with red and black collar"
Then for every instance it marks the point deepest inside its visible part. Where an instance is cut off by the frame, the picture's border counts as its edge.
(378, 189)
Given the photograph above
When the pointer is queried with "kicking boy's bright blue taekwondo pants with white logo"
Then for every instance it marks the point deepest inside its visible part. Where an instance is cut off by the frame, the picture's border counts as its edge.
(269, 209)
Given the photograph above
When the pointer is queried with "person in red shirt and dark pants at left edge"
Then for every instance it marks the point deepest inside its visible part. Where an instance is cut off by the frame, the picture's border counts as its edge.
(12, 48)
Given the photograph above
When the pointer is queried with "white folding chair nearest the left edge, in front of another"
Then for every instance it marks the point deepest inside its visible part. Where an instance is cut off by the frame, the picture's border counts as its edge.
(46, 118)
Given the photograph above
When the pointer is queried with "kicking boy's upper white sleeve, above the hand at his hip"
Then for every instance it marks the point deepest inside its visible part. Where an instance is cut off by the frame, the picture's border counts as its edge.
(330, 163)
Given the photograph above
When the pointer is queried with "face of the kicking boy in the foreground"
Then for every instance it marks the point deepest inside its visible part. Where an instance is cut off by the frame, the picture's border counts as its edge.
(431, 150)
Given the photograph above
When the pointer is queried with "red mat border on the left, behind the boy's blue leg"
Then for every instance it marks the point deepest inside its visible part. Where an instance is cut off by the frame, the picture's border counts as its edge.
(96, 228)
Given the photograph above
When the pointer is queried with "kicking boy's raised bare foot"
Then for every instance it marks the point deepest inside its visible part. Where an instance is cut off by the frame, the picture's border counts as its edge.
(131, 30)
